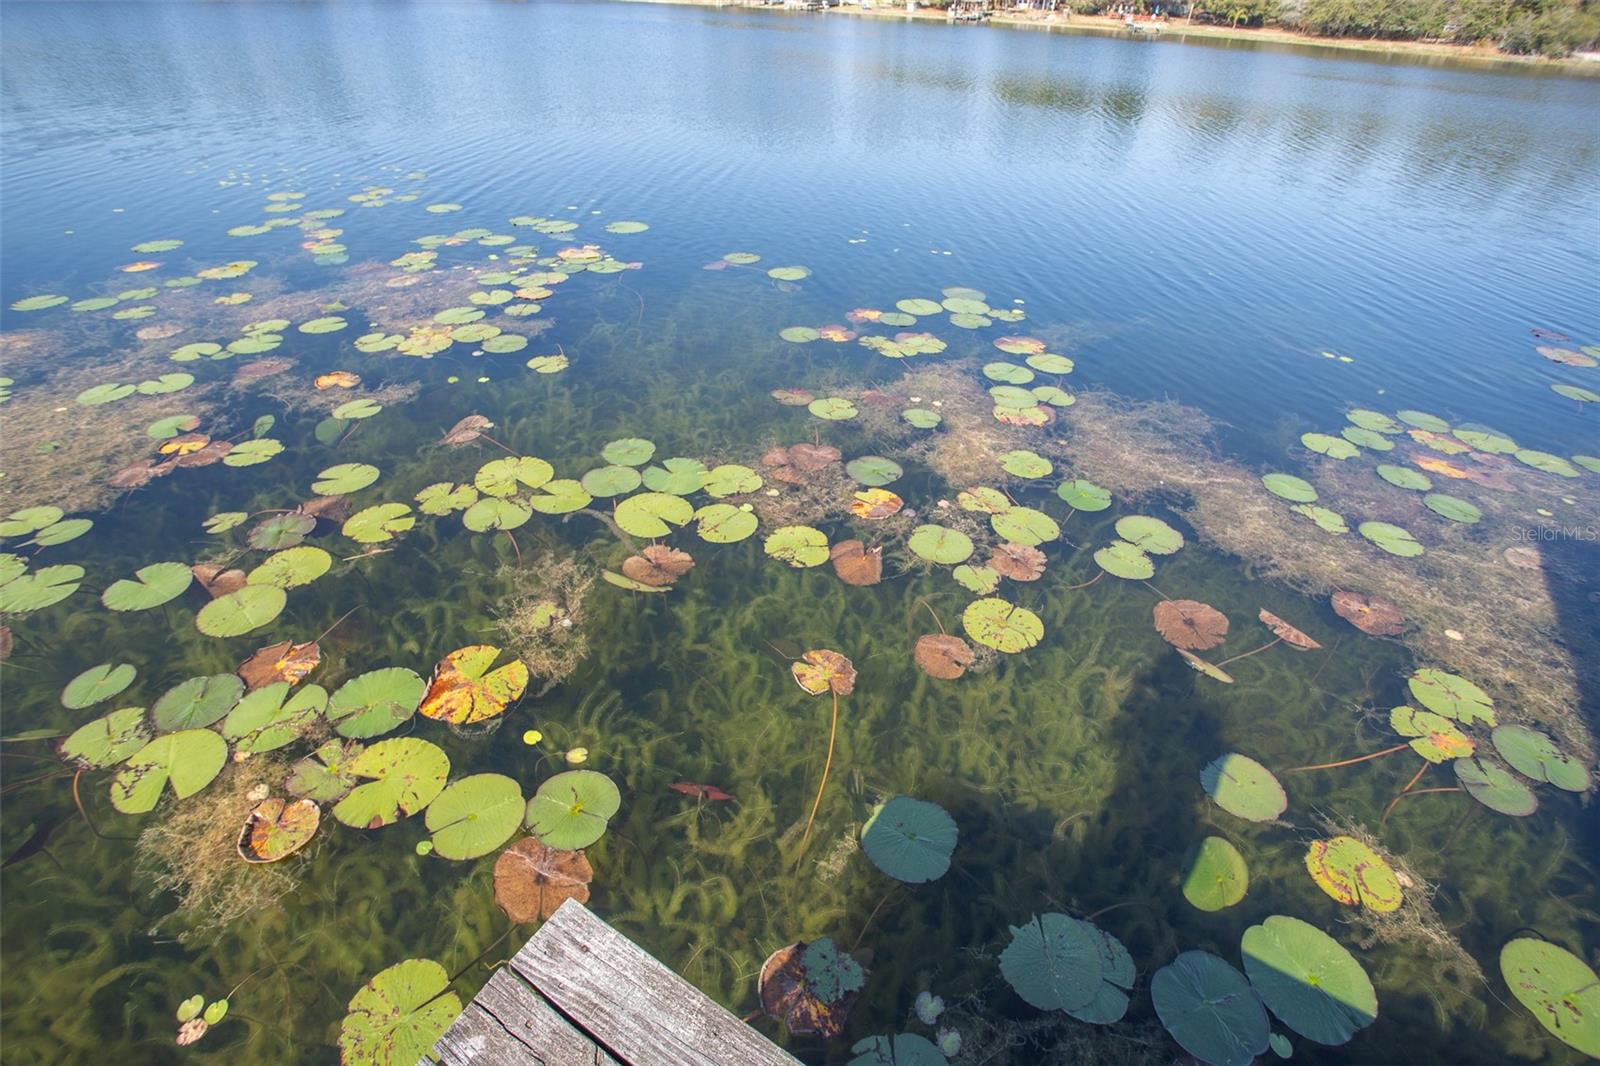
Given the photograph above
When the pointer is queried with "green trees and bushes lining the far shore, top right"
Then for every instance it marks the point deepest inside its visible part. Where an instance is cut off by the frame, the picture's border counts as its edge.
(1529, 28)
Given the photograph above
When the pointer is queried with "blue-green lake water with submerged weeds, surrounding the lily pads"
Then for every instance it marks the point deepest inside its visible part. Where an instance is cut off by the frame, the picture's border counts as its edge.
(1246, 242)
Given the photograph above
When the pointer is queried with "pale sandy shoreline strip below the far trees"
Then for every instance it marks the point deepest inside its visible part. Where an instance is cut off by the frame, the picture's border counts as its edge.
(1482, 57)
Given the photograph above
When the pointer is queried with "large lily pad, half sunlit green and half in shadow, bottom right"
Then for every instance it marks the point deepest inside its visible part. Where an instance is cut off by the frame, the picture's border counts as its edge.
(1308, 980)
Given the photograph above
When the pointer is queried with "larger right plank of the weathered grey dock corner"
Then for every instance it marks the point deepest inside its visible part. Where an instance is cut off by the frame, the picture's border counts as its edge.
(630, 1003)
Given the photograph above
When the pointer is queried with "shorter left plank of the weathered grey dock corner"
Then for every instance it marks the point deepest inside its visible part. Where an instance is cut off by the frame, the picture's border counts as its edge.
(511, 1025)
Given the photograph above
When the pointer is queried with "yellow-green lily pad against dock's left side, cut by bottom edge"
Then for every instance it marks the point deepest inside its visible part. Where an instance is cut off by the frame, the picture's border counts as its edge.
(398, 1017)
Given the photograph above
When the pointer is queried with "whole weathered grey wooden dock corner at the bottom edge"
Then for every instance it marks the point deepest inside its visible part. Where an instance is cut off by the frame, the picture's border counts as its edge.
(583, 995)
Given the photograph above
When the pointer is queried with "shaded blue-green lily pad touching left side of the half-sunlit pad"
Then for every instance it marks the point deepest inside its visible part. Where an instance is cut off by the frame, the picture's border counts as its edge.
(1210, 1009)
